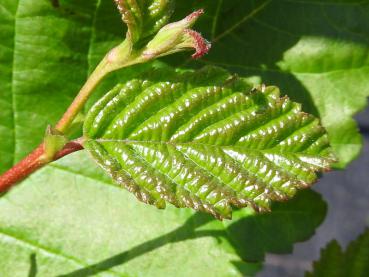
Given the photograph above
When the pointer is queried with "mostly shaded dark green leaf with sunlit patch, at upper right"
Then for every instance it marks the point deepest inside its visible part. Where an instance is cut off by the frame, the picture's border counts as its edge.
(316, 51)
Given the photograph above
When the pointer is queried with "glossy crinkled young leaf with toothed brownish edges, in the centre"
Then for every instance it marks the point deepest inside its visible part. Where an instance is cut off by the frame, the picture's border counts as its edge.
(205, 144)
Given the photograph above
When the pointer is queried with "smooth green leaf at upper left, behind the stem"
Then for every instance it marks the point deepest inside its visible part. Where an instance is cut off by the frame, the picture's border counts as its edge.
(45, 53)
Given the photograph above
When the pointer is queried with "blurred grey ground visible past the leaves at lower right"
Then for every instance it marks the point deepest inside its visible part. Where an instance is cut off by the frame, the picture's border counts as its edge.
(347, 195)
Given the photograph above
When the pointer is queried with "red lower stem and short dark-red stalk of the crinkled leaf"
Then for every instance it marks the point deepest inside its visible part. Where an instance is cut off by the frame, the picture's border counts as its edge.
(31, 163)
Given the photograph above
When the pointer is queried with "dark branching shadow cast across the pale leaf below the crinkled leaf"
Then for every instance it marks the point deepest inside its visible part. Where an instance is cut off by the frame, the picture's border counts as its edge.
(251, 235)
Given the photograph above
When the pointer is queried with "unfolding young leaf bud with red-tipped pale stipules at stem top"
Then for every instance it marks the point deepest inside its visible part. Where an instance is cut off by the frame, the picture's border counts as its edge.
(150, 37)
